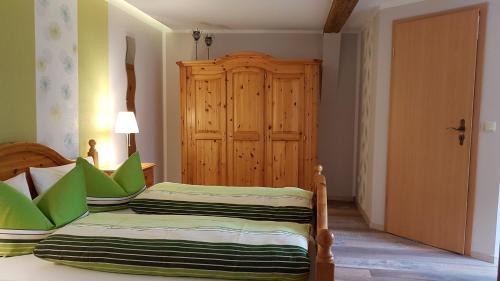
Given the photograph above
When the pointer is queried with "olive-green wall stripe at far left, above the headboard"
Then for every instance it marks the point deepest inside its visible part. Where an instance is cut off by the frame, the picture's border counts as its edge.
(17, 71)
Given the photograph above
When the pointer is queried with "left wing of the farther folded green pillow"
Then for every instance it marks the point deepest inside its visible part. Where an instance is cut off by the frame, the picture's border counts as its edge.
(103, 192)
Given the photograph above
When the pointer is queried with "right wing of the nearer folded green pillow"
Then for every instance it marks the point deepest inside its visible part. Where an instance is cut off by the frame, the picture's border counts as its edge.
(66, 200)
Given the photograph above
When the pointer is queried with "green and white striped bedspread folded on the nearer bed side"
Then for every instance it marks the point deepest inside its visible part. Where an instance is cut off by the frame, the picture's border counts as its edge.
(184, 246)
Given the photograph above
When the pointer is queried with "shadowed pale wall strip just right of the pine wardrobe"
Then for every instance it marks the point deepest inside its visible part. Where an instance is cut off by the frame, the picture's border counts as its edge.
(337, 131)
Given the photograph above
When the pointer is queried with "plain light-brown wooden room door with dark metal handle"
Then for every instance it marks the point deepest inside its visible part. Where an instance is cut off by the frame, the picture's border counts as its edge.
(432, 89)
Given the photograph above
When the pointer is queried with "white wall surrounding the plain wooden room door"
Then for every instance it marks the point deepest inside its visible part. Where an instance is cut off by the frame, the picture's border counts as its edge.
(484, 238)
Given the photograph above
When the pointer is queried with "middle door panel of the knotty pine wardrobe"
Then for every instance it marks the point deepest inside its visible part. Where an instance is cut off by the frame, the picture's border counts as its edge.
(245, 125)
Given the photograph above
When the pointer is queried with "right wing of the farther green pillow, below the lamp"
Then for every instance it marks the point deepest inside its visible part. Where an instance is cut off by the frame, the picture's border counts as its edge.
(130, 175)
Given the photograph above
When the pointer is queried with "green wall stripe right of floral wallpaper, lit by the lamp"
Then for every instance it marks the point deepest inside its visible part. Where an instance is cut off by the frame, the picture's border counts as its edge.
(93, 72)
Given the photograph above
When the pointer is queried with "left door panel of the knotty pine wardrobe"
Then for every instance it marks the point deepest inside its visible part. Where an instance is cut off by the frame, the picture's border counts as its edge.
(206, 132)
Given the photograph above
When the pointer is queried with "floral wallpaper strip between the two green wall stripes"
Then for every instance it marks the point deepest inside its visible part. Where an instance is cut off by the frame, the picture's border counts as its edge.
(56, 36)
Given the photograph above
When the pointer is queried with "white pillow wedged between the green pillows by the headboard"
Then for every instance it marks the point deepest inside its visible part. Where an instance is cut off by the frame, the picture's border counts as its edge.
(45, 178)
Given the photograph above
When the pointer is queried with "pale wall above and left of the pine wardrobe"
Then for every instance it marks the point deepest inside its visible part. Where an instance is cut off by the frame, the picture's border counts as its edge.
(180, 46)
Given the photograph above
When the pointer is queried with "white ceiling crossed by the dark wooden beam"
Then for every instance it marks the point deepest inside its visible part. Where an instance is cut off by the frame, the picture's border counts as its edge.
(241, 15)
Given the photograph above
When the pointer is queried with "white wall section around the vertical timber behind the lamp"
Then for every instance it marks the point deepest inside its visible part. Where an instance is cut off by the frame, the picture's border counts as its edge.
(148, 71)
